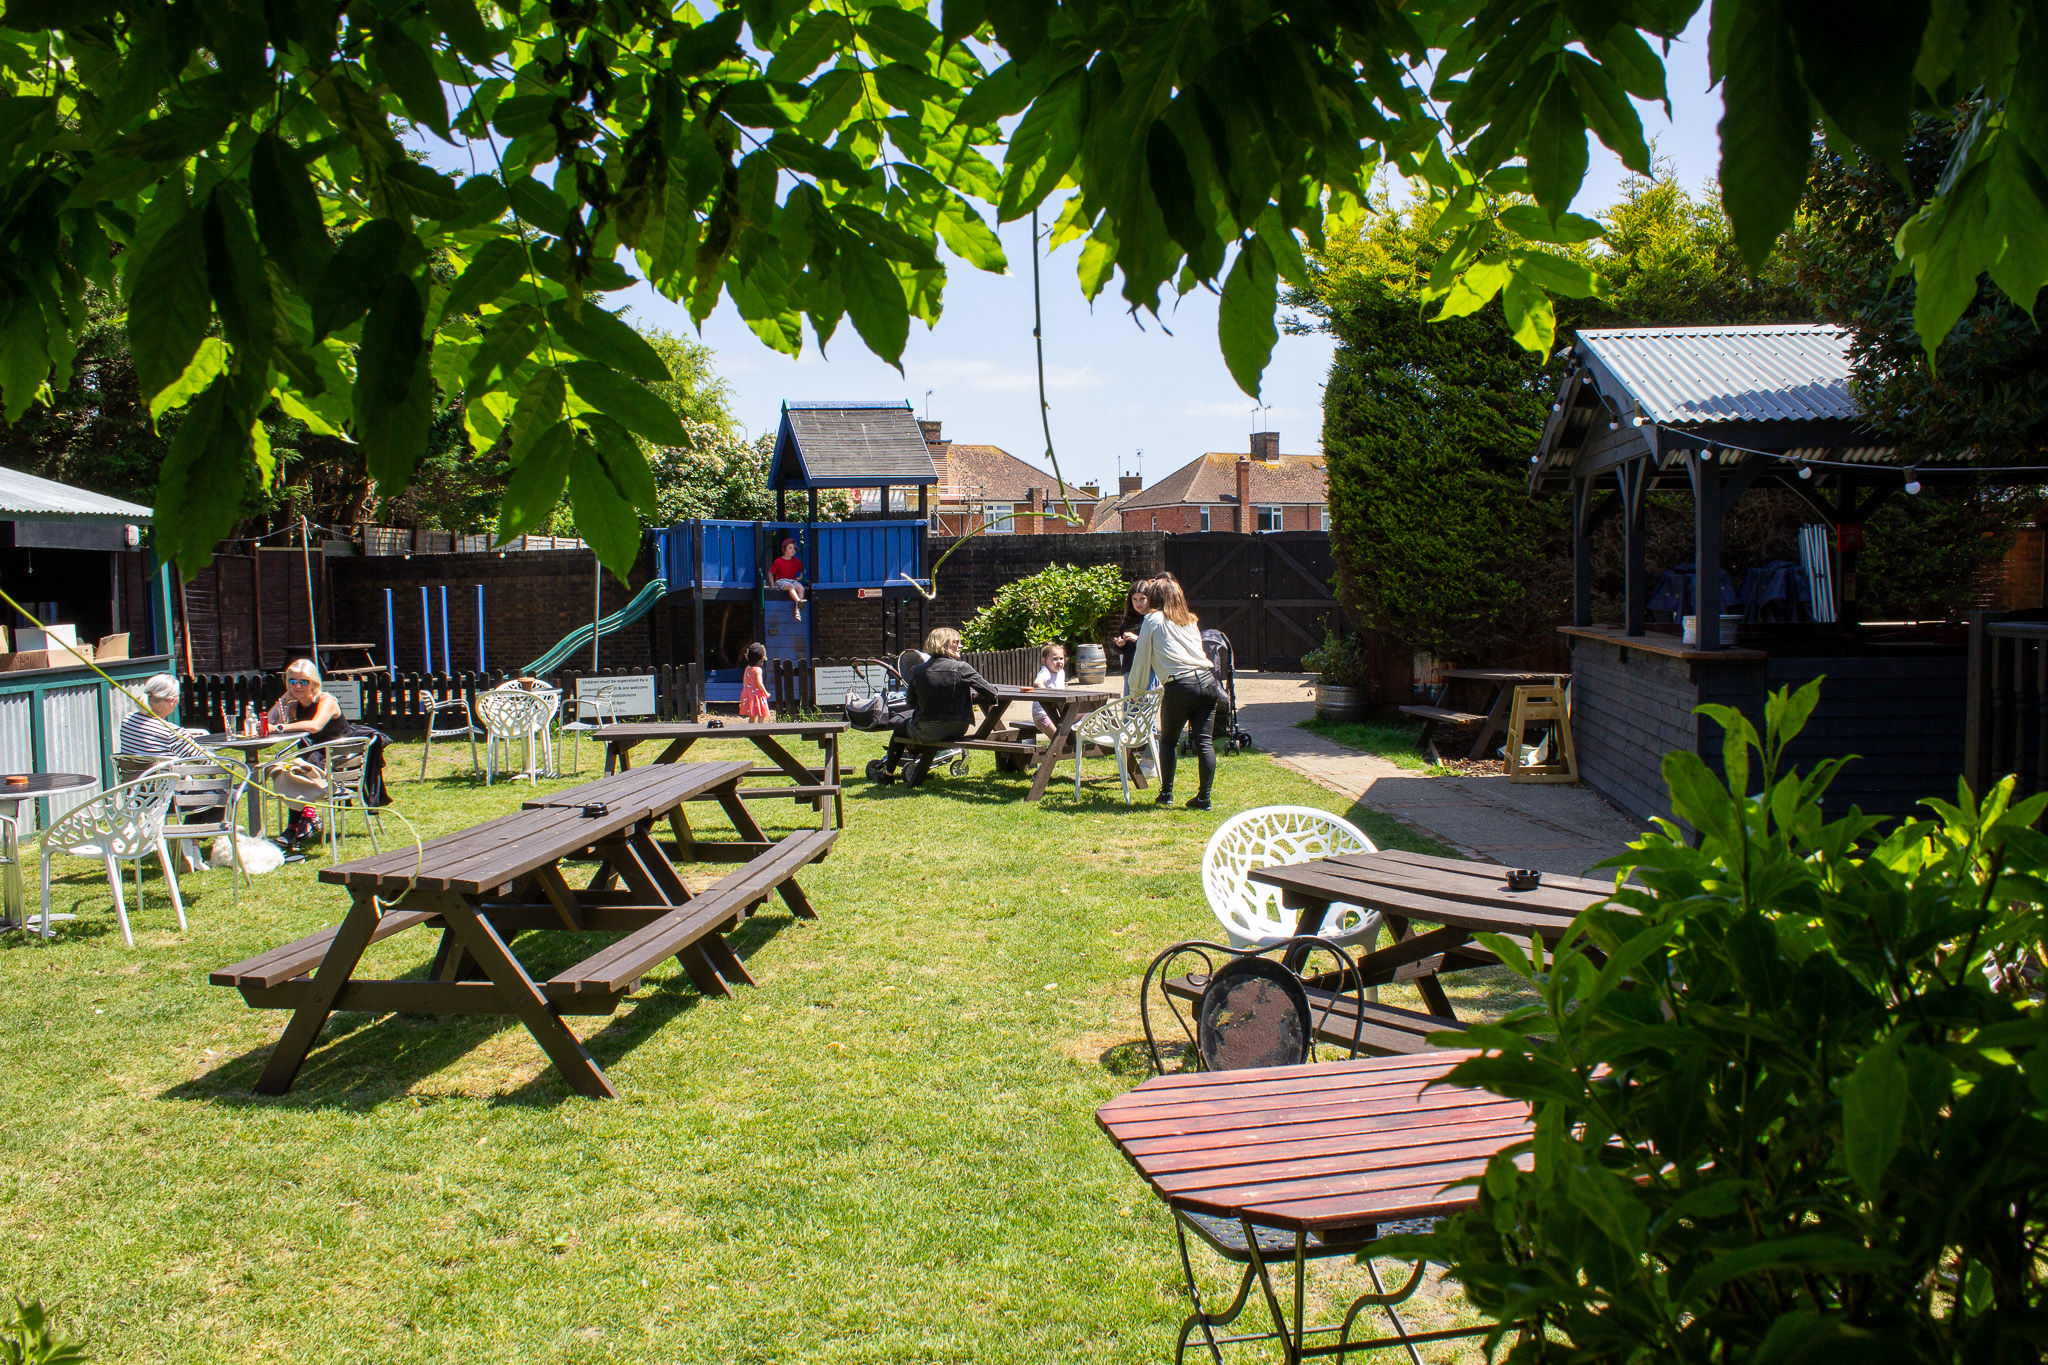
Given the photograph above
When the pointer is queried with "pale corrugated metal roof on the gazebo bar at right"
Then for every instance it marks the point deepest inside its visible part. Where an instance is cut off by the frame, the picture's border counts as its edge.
(1773, 373)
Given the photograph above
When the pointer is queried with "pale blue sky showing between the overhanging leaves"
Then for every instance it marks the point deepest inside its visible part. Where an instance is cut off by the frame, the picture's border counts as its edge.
(1115, 386)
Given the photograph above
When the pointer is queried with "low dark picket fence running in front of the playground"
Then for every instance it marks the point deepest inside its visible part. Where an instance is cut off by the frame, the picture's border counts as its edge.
(400, 703)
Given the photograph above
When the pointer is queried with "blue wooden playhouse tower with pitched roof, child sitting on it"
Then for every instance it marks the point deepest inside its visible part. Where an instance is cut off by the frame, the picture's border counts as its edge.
(871, 447)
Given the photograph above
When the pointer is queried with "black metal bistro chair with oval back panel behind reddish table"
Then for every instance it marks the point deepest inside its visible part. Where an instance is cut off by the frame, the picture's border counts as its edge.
(1252, 1008)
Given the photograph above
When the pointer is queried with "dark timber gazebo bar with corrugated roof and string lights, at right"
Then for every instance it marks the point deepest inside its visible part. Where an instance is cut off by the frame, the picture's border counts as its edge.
(1713, 414)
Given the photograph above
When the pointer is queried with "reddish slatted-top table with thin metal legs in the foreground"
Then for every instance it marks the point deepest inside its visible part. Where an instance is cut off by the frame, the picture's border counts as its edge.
(1295, 1163)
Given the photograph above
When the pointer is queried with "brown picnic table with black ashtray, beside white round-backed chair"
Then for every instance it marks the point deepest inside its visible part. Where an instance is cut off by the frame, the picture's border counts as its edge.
(1463, 897)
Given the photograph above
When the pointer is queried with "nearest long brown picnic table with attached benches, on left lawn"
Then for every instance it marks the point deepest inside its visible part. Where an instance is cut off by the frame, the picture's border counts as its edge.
(488, 883)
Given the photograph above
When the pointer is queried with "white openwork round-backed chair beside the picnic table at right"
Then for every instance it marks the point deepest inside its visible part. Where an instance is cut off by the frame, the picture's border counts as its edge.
(1275, 838)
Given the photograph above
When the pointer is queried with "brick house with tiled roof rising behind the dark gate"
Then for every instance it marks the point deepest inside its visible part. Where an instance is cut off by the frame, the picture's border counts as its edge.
(1222, 490)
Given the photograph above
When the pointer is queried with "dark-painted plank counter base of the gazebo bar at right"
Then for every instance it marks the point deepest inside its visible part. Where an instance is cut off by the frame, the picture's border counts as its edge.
(1895, 697)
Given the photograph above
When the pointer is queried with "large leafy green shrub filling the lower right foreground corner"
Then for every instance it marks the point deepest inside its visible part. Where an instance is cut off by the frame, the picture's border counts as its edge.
(1791, 1098)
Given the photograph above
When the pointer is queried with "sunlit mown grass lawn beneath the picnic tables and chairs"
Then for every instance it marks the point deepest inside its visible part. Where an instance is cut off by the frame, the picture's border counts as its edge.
(884, 1153)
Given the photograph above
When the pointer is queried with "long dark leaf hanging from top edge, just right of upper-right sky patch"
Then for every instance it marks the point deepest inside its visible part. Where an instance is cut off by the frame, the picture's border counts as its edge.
(1768, 130)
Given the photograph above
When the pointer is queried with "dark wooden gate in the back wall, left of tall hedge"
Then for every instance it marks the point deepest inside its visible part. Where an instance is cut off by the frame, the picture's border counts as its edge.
(1269, 592)
